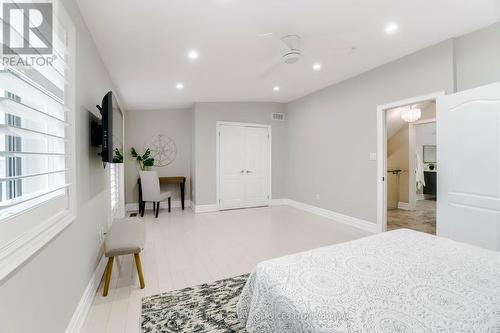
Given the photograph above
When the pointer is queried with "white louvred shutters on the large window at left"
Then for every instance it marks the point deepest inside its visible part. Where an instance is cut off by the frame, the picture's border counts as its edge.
(34, 129)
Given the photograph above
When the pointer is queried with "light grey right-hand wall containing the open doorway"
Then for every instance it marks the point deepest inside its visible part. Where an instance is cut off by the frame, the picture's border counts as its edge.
(331, 132)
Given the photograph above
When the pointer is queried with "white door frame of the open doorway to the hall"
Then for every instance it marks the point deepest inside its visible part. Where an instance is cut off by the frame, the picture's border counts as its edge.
(382, 152)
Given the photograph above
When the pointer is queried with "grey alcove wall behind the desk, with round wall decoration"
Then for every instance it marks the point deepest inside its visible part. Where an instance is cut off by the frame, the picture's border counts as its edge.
(140, 126)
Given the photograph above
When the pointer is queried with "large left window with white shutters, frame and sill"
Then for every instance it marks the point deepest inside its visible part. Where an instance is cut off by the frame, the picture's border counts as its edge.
(37, 194)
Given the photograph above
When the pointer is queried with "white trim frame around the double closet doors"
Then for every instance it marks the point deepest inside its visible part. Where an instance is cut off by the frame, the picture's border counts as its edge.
(218, 125)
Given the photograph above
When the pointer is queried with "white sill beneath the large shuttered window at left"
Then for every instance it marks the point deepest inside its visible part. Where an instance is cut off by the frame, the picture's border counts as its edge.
(17, 252)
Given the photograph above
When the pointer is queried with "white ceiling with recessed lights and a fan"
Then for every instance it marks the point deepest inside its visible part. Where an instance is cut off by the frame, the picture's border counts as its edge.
(144, 43)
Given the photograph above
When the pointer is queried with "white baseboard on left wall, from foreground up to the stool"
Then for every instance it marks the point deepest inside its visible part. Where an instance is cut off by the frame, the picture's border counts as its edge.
(76, 323)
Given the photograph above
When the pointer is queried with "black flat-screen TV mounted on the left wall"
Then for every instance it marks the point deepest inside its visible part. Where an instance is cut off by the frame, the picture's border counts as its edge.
(109, 133)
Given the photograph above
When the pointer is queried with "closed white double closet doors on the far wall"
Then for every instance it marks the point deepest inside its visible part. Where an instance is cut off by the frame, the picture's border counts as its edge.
(243, 165)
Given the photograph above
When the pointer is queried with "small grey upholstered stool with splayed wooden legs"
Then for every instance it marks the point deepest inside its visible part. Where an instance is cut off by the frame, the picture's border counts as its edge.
(126, 236)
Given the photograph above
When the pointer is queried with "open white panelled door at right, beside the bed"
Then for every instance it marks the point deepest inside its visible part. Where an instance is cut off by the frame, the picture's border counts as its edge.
(468, 136)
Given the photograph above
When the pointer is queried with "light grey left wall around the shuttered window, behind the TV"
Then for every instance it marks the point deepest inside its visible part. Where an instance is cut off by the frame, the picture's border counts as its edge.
(43, 294)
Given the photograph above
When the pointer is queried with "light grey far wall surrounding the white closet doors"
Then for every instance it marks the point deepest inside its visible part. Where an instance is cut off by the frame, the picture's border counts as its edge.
(205, 117)
